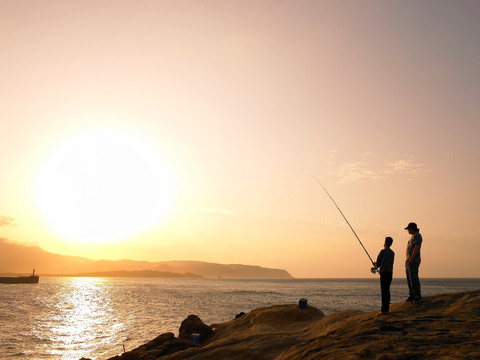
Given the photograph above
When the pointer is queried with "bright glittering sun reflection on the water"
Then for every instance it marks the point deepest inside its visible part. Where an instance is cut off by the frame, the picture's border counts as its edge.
(81, 317)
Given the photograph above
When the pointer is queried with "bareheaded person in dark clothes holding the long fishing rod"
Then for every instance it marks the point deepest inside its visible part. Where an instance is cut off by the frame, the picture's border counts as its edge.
(385, 264)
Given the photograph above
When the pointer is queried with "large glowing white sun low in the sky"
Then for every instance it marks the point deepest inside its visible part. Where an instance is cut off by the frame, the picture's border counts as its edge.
(103, 185)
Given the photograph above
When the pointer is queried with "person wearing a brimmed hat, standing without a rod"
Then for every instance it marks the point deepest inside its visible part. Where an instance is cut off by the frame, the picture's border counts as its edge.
(413, 263)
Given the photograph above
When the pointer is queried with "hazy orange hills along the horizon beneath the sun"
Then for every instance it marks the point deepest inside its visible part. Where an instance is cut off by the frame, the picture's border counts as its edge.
(21, 259)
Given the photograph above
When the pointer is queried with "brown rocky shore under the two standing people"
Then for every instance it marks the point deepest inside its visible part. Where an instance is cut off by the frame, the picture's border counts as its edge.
(445, 326)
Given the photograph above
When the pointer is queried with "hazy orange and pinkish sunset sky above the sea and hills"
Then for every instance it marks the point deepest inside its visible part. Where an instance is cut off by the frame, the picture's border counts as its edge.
(193, 130)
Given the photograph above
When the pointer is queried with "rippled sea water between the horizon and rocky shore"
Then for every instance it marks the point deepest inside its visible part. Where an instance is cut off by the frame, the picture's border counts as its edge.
(71, 318)
